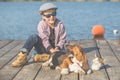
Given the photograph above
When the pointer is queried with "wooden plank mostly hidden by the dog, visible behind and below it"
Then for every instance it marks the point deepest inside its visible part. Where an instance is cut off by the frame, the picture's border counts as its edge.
(71, 76)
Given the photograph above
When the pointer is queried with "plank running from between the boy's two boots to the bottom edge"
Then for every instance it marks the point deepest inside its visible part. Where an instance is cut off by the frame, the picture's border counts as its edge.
(29, 71)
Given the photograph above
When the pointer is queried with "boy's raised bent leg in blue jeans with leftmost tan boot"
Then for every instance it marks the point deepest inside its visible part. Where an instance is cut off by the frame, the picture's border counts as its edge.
(32, 41)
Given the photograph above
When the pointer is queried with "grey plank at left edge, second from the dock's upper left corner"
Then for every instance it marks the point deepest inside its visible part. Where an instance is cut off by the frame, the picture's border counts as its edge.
(8, 47)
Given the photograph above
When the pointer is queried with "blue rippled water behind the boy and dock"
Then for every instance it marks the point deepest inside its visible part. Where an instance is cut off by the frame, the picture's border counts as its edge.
(18, 20)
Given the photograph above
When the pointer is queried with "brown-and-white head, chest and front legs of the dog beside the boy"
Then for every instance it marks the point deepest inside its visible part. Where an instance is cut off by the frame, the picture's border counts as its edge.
(77, 62)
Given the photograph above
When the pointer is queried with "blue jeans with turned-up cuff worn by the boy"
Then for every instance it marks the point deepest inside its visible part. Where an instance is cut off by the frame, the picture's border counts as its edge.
(36, 42)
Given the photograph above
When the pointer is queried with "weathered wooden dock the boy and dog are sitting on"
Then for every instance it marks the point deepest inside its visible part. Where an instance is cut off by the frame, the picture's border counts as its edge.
(107, 49)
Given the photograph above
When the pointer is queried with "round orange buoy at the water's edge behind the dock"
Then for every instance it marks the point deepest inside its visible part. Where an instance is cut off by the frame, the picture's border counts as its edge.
(98, 30)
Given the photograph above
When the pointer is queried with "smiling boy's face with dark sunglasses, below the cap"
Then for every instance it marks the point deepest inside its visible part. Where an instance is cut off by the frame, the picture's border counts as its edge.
(49, 16)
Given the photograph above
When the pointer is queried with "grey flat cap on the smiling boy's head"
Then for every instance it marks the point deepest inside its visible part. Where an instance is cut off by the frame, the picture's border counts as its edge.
(47, 6)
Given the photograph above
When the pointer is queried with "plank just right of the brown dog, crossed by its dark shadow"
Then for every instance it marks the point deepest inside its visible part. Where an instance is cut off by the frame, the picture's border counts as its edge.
(90, 48)
